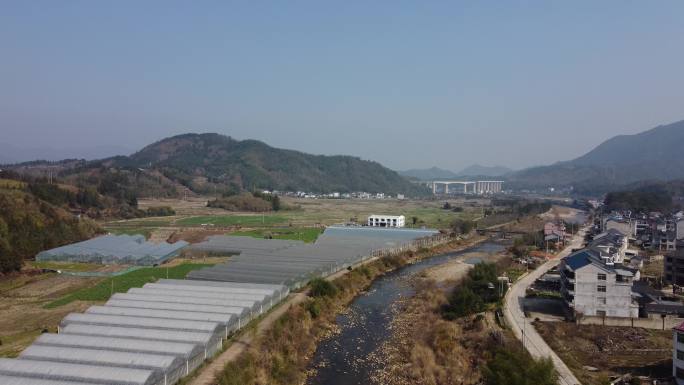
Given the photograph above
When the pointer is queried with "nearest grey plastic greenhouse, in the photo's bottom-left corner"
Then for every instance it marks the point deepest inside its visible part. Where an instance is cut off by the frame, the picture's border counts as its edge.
(78, 373)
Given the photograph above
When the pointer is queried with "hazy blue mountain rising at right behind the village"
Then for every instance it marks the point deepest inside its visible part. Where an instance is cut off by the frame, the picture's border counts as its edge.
(655, 155)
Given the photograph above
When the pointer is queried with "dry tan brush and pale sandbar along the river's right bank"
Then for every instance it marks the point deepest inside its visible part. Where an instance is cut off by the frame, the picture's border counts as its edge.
(427, 349)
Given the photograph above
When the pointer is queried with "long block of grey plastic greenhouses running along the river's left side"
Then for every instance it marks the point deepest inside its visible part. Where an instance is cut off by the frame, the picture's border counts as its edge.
(163, 331)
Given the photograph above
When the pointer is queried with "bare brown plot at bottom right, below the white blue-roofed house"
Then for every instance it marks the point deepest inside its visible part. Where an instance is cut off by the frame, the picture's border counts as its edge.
(594, 353)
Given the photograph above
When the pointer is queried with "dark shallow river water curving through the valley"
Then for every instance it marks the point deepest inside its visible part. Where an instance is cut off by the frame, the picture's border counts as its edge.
(343, 359)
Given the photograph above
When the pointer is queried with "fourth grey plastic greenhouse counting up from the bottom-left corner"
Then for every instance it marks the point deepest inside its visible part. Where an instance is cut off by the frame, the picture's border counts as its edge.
(211, 343)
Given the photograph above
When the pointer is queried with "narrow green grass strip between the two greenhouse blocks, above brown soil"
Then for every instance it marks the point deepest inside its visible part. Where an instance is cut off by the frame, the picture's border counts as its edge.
(121, 284)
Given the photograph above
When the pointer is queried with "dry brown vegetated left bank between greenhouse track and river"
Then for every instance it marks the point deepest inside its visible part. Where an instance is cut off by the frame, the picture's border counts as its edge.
(280, 355)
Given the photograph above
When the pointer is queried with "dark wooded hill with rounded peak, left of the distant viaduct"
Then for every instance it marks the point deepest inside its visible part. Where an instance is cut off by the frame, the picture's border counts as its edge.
(213, 162)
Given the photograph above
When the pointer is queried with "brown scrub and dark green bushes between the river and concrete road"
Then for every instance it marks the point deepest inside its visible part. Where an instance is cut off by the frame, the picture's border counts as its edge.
(451, 336)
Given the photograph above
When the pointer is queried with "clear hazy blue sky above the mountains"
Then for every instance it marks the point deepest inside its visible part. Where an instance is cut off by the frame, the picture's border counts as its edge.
(410, 84)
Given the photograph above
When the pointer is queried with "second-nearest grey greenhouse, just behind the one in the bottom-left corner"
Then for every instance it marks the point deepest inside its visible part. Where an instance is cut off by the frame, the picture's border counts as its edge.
(172, 368)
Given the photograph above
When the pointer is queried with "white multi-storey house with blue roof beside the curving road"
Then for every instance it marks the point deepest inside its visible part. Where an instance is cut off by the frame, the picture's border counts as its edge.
(593, 284)
